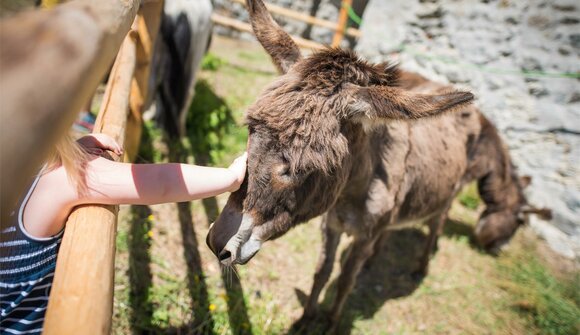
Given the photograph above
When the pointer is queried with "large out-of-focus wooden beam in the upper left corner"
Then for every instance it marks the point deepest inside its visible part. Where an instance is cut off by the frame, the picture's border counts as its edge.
(51, 63)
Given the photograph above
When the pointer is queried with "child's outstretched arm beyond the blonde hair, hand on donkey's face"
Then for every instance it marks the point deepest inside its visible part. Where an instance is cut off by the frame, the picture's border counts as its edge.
(146, 184)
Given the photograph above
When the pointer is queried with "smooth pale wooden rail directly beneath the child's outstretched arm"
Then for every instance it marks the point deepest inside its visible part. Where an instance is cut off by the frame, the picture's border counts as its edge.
(81, 300)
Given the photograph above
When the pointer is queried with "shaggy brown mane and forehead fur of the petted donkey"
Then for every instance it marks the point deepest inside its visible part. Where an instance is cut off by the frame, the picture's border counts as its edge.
(301, 107)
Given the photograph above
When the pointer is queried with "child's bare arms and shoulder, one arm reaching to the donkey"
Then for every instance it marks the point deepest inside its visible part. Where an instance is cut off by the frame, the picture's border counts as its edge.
(111, 182)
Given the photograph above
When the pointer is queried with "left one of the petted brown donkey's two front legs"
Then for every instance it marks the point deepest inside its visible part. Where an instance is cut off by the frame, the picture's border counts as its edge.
(330, 239)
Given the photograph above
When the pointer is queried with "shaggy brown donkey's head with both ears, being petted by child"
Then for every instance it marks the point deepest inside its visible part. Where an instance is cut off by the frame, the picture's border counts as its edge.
(301, 134)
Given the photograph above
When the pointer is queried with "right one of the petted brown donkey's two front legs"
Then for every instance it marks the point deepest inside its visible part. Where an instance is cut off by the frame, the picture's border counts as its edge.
(360, 251)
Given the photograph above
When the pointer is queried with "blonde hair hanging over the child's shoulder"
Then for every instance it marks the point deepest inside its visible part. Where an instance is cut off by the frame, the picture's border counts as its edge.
(73, 158)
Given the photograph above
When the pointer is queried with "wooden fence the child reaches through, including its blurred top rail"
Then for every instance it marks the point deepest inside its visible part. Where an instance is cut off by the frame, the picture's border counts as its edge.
(51, 63)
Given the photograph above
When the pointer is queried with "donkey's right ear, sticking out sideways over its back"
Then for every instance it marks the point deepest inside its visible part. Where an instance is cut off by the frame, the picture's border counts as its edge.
(398, 104)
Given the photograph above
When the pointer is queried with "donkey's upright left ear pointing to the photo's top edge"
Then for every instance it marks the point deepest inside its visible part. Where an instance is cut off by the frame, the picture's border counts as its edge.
(277, 42)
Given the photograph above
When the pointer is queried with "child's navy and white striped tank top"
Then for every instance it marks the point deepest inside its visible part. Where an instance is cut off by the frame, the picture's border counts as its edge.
(27, 267)
